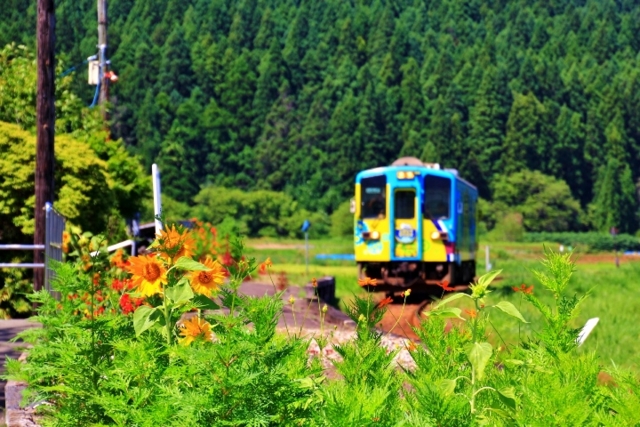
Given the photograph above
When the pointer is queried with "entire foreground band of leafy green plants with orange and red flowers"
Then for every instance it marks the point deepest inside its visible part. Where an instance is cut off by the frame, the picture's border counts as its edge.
(144, 350)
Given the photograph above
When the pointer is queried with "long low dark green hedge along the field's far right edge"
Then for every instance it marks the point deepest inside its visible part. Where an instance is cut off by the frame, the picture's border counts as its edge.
(589, 242)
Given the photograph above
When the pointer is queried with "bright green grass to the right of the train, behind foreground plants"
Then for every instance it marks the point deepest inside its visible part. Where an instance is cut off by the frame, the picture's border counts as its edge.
(612, 298)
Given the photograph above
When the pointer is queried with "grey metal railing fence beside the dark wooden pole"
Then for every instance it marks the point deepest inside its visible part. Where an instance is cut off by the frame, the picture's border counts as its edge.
(54, 226)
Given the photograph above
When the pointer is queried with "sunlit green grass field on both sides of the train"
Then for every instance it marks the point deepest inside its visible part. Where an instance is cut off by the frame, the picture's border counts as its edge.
(613, 291)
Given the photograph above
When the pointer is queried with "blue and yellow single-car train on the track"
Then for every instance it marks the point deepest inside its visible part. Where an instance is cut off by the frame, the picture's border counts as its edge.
(415, 224)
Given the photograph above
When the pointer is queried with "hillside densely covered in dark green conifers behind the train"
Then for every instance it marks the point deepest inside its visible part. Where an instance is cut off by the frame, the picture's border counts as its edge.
(298, 95)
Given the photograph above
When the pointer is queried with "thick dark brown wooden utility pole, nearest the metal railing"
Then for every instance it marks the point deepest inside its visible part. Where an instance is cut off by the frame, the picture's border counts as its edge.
(45, 127)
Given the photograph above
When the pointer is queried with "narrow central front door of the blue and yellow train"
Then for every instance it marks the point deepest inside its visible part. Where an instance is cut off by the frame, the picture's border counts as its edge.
(407, 217)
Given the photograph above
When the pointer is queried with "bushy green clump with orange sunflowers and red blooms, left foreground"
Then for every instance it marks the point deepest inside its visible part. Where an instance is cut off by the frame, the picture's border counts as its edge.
(101, 363)
